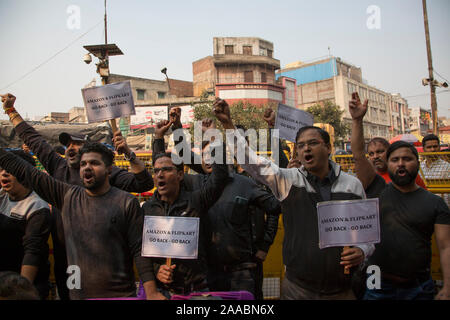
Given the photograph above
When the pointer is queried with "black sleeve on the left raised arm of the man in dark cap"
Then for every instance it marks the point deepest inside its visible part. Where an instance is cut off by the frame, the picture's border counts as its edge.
(49, 158)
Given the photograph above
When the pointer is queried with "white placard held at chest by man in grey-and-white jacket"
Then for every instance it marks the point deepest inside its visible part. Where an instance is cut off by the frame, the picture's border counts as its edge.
(348, 222)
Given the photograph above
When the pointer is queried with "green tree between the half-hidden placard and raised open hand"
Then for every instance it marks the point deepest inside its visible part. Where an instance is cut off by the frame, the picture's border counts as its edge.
(332, 114)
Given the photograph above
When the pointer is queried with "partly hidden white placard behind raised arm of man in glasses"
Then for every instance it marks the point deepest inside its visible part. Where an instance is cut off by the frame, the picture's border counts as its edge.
(289, 120)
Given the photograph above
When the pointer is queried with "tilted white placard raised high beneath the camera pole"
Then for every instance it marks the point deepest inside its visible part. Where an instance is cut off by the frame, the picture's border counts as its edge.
(108, 102)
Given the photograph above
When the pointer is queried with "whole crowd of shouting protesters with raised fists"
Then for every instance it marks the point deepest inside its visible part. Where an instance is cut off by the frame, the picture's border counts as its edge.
(227, 213)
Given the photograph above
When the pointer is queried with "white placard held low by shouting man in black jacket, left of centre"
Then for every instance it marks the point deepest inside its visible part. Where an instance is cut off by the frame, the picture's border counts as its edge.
(170, 237)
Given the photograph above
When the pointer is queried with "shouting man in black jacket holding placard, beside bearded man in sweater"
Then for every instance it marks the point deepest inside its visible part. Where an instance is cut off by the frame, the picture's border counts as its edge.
(171, 199)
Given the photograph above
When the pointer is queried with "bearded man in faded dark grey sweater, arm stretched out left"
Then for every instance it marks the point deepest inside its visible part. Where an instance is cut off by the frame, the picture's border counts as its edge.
(103, 226)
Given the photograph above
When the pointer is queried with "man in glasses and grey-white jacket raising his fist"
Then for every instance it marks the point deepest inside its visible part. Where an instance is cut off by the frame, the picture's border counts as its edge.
(311, 273)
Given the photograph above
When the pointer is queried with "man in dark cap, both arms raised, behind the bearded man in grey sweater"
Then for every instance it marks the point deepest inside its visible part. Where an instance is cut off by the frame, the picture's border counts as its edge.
(67, 170)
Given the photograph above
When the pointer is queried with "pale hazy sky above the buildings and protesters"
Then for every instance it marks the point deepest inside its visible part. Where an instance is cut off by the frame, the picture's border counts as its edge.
(42, 42)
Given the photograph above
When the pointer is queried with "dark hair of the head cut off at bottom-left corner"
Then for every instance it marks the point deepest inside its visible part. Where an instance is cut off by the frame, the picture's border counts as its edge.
(15, 287)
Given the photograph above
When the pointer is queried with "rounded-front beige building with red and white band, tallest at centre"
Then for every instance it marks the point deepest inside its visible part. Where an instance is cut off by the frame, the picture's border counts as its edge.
(242, 69)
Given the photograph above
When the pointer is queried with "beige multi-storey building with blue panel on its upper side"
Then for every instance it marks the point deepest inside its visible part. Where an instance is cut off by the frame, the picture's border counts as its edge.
(335, 80)
